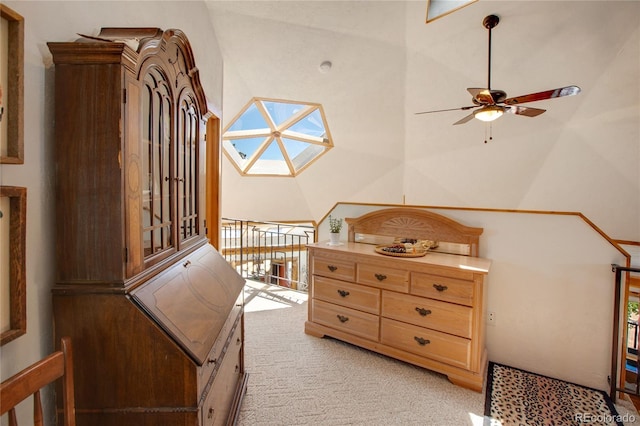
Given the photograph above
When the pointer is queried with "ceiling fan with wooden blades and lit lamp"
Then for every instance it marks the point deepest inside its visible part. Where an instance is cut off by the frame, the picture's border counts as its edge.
(489, 104)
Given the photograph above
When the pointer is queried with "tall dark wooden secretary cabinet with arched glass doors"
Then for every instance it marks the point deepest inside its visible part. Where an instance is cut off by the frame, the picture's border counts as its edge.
(154, 312)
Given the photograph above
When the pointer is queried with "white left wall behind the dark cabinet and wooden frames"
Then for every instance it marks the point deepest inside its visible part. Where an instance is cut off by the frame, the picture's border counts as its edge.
(60, 21)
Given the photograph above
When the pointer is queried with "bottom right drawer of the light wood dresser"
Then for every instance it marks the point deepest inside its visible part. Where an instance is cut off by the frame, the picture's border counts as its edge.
(428, 343)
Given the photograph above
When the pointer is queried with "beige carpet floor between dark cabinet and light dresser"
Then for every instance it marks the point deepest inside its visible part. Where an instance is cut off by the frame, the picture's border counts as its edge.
(296, 379)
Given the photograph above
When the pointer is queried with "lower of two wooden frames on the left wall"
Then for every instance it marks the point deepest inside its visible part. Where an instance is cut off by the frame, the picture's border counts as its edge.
(13, 298)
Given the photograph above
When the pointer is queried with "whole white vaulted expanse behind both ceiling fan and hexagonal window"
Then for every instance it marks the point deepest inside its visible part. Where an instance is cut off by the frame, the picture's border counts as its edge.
(387, 64)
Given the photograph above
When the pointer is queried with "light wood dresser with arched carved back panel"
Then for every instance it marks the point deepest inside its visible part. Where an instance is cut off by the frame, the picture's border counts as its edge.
(428, 311)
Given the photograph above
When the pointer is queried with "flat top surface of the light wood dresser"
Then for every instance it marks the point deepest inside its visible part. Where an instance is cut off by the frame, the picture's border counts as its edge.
(473, 264)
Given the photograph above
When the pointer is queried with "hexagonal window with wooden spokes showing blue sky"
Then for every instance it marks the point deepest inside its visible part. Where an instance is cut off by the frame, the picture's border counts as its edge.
(271, 137)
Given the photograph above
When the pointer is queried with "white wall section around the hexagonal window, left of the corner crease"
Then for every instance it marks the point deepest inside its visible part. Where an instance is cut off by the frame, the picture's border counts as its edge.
(359, 97)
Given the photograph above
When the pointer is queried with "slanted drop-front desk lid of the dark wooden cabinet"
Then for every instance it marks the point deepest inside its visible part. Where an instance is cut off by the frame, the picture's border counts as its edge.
(192, 299)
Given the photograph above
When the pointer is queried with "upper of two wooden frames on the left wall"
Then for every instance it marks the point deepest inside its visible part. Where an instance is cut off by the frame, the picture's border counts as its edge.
(11, 86)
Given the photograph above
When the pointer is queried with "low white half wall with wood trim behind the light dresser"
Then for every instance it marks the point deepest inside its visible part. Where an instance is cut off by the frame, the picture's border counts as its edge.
(550, 287)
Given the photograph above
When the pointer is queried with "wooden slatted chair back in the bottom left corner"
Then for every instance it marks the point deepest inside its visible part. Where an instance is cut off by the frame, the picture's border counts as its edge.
(33, 378)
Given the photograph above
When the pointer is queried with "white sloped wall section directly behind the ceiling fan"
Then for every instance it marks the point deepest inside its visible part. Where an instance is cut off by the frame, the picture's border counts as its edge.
(582, 155)
